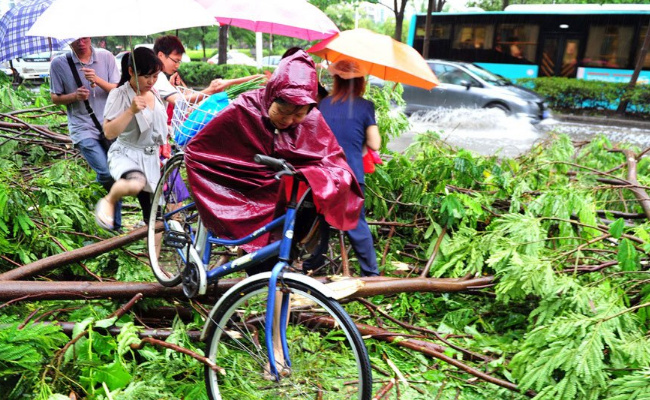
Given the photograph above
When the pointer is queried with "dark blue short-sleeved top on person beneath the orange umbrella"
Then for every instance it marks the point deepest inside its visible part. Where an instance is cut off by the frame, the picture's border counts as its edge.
(348, 120)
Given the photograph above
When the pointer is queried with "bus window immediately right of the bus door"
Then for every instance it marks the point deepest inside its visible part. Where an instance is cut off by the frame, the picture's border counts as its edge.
(608, 46)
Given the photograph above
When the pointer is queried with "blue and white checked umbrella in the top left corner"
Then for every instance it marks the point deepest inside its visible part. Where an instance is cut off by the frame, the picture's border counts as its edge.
(15, 23)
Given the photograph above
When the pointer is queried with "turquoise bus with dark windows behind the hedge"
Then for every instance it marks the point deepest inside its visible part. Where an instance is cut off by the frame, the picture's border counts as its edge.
(592, 42)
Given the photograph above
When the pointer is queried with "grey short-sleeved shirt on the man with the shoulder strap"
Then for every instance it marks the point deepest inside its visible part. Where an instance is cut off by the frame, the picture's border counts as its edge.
(62, 81)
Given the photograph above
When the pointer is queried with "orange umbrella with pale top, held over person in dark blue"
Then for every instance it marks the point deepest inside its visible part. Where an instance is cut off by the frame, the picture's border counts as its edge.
(378, 55)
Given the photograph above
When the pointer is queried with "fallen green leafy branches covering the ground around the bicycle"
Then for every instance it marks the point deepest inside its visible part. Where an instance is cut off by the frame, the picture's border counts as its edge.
(566, 319)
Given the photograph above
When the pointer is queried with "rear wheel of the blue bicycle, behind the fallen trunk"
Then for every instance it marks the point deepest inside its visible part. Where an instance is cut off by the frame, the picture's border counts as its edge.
(172, 205)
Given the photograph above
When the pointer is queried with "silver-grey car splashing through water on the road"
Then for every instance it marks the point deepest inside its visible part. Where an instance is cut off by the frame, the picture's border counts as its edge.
(468, 85)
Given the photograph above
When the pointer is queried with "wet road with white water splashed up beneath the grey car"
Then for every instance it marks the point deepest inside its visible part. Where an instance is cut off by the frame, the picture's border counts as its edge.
(490, 132)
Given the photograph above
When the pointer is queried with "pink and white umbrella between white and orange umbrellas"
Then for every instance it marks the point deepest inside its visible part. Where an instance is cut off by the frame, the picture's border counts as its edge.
(293, 18)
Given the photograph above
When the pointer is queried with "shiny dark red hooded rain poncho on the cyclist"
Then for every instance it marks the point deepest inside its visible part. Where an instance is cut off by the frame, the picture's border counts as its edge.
(235, 195)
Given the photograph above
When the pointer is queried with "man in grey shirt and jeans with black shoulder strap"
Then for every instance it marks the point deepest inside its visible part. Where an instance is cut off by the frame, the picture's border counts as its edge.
(80, 81)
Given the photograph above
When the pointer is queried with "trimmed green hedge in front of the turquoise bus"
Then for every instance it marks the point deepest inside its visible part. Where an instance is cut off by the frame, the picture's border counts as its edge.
(578, 94)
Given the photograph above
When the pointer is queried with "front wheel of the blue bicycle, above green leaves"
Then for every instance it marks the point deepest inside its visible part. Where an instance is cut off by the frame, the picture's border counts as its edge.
(328, 357)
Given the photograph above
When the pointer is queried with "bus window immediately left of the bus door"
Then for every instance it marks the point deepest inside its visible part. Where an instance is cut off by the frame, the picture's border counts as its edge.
(517, 41)
